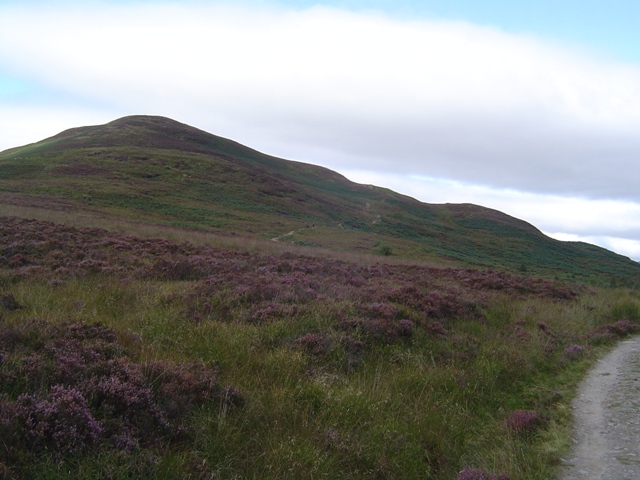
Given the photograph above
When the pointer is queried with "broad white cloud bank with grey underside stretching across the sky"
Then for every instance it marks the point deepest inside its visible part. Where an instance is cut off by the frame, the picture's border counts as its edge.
(433, 98)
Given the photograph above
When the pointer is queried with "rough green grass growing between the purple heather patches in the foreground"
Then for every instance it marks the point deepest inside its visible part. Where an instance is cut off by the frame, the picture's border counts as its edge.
(421, 408)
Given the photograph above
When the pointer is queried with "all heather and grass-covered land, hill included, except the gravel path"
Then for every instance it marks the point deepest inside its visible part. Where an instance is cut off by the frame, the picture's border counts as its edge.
(176, 305)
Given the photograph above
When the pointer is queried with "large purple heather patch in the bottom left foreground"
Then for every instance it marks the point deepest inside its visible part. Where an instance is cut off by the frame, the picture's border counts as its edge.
(72, 387)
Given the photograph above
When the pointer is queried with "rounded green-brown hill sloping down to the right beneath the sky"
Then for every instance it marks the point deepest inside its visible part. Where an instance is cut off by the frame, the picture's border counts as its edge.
(158, 171)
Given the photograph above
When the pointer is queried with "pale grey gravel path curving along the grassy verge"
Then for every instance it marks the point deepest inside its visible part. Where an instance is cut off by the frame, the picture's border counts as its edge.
(607, 419)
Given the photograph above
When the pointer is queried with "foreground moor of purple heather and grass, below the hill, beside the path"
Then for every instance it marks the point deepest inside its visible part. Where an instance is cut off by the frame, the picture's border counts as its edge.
(128, 357)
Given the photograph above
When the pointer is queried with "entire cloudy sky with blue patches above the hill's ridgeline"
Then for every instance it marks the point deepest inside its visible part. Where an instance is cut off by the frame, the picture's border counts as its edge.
(531, 108)
